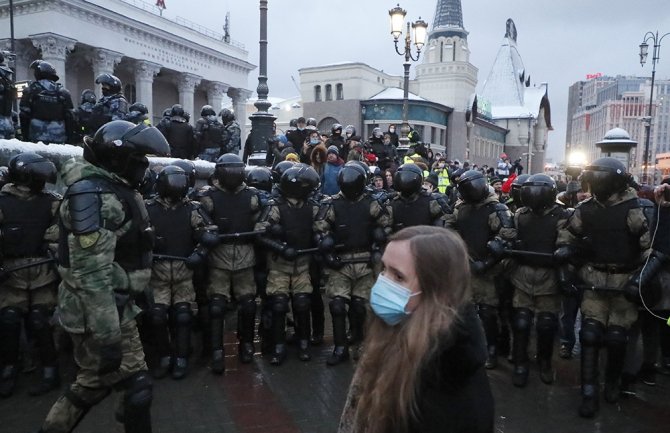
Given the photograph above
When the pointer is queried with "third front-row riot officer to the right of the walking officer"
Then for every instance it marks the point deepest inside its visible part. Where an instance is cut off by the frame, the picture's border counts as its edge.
(290, 219)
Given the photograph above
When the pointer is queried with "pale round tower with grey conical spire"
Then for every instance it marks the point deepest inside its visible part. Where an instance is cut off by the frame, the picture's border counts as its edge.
(446, 74)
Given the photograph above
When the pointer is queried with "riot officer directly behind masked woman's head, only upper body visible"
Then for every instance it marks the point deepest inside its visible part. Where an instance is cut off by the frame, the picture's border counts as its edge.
(412, 205)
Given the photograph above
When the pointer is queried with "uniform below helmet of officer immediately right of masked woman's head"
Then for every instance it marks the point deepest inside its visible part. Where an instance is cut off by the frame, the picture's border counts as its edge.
(479, 223)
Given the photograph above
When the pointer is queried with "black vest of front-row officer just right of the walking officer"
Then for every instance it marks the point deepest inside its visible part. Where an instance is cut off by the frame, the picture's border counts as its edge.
(174, 234)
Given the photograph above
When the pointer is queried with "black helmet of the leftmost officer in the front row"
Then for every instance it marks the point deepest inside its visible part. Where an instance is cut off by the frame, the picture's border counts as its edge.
(31, 170)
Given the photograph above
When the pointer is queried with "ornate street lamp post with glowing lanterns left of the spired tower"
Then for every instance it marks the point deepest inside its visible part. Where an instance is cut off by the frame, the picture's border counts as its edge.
(420, 28)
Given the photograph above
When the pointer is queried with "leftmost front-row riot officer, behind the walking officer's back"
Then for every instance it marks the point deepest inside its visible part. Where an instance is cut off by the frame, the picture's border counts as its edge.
(28, 220)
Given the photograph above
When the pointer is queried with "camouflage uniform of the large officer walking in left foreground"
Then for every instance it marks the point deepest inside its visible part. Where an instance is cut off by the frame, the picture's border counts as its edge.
(96, 269)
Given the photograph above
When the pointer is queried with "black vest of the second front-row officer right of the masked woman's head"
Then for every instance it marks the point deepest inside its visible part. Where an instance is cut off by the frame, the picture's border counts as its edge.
(537, 233)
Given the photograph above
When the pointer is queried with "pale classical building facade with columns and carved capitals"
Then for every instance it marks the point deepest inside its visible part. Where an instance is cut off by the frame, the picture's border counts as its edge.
(160, 61)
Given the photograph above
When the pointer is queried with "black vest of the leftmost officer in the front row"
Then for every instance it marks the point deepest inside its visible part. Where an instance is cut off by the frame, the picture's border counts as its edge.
(24, 224)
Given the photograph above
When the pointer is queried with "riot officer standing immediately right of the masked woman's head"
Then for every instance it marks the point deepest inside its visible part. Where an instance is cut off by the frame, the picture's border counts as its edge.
(486, 226)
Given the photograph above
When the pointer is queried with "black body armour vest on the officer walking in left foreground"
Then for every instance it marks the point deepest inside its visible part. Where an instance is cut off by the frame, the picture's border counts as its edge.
(133, 249)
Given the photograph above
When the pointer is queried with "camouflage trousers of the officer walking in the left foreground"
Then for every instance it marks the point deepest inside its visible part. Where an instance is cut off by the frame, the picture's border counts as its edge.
(90, 388)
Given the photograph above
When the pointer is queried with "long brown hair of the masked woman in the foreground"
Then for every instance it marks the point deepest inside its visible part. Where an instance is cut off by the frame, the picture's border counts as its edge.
(390, 371)
